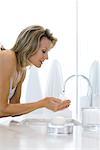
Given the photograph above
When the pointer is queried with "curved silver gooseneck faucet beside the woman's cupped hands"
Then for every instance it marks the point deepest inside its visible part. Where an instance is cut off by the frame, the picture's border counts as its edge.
(89, 83)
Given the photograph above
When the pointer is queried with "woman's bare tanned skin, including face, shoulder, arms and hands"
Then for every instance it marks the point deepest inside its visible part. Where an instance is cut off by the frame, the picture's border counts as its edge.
(7, 70)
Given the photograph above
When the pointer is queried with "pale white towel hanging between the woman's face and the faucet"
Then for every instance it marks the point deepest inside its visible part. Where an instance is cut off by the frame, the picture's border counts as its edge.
(55, 80)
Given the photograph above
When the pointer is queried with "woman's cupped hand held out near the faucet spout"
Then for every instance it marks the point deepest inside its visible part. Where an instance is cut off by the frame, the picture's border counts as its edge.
(56, 104)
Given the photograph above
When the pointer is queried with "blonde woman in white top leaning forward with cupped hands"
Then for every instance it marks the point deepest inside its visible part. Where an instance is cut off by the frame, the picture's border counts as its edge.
(31, 48)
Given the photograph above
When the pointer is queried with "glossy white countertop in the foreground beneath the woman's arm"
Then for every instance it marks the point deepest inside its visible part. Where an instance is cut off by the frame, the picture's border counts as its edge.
(15, 136)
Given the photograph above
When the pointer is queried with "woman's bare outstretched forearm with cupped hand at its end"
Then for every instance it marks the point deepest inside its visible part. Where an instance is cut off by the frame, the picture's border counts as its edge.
(51, 103)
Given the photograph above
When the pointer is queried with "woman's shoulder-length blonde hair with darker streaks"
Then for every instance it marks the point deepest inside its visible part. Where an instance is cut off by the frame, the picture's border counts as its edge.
(28, 41)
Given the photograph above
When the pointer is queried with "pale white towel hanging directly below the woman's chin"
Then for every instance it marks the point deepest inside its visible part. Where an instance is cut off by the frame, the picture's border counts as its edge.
(33, 87)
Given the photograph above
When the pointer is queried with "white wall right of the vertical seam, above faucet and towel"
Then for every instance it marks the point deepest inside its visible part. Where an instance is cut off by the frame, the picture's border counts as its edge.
(89, 34)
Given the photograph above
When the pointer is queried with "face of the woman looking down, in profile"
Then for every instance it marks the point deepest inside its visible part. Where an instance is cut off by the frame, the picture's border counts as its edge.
(42, 54)
